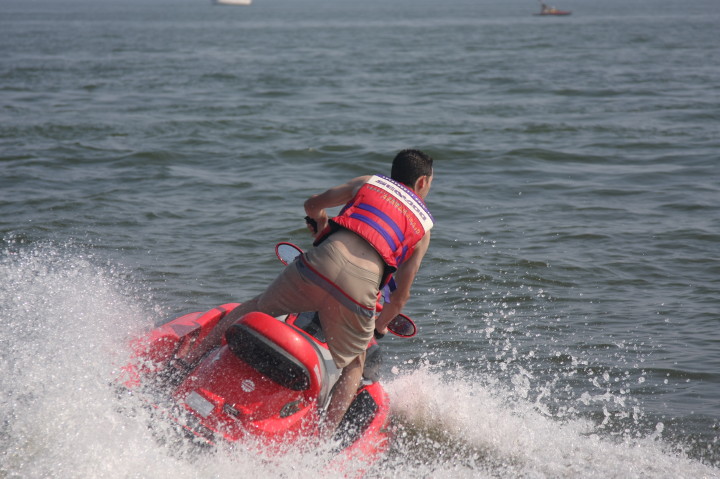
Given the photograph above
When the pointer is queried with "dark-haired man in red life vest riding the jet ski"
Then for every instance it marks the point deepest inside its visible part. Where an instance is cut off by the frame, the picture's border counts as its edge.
(384, 228)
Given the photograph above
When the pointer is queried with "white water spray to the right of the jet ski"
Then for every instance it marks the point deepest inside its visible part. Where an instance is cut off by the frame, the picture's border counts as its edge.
(466, 427)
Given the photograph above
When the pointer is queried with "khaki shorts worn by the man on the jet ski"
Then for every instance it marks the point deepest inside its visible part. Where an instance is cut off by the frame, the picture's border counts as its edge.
(344, 295)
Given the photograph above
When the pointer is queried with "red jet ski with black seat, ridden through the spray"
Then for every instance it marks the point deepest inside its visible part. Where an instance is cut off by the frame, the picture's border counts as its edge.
(270, 379)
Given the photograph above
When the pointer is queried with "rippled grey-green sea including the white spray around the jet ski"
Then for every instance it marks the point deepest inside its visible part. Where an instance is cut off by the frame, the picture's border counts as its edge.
(153, 152)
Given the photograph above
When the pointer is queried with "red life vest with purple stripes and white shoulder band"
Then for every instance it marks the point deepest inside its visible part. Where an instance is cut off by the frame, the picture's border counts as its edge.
(387, 215)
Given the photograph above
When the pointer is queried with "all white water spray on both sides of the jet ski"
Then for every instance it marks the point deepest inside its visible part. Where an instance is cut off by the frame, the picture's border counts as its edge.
(66, 317)
